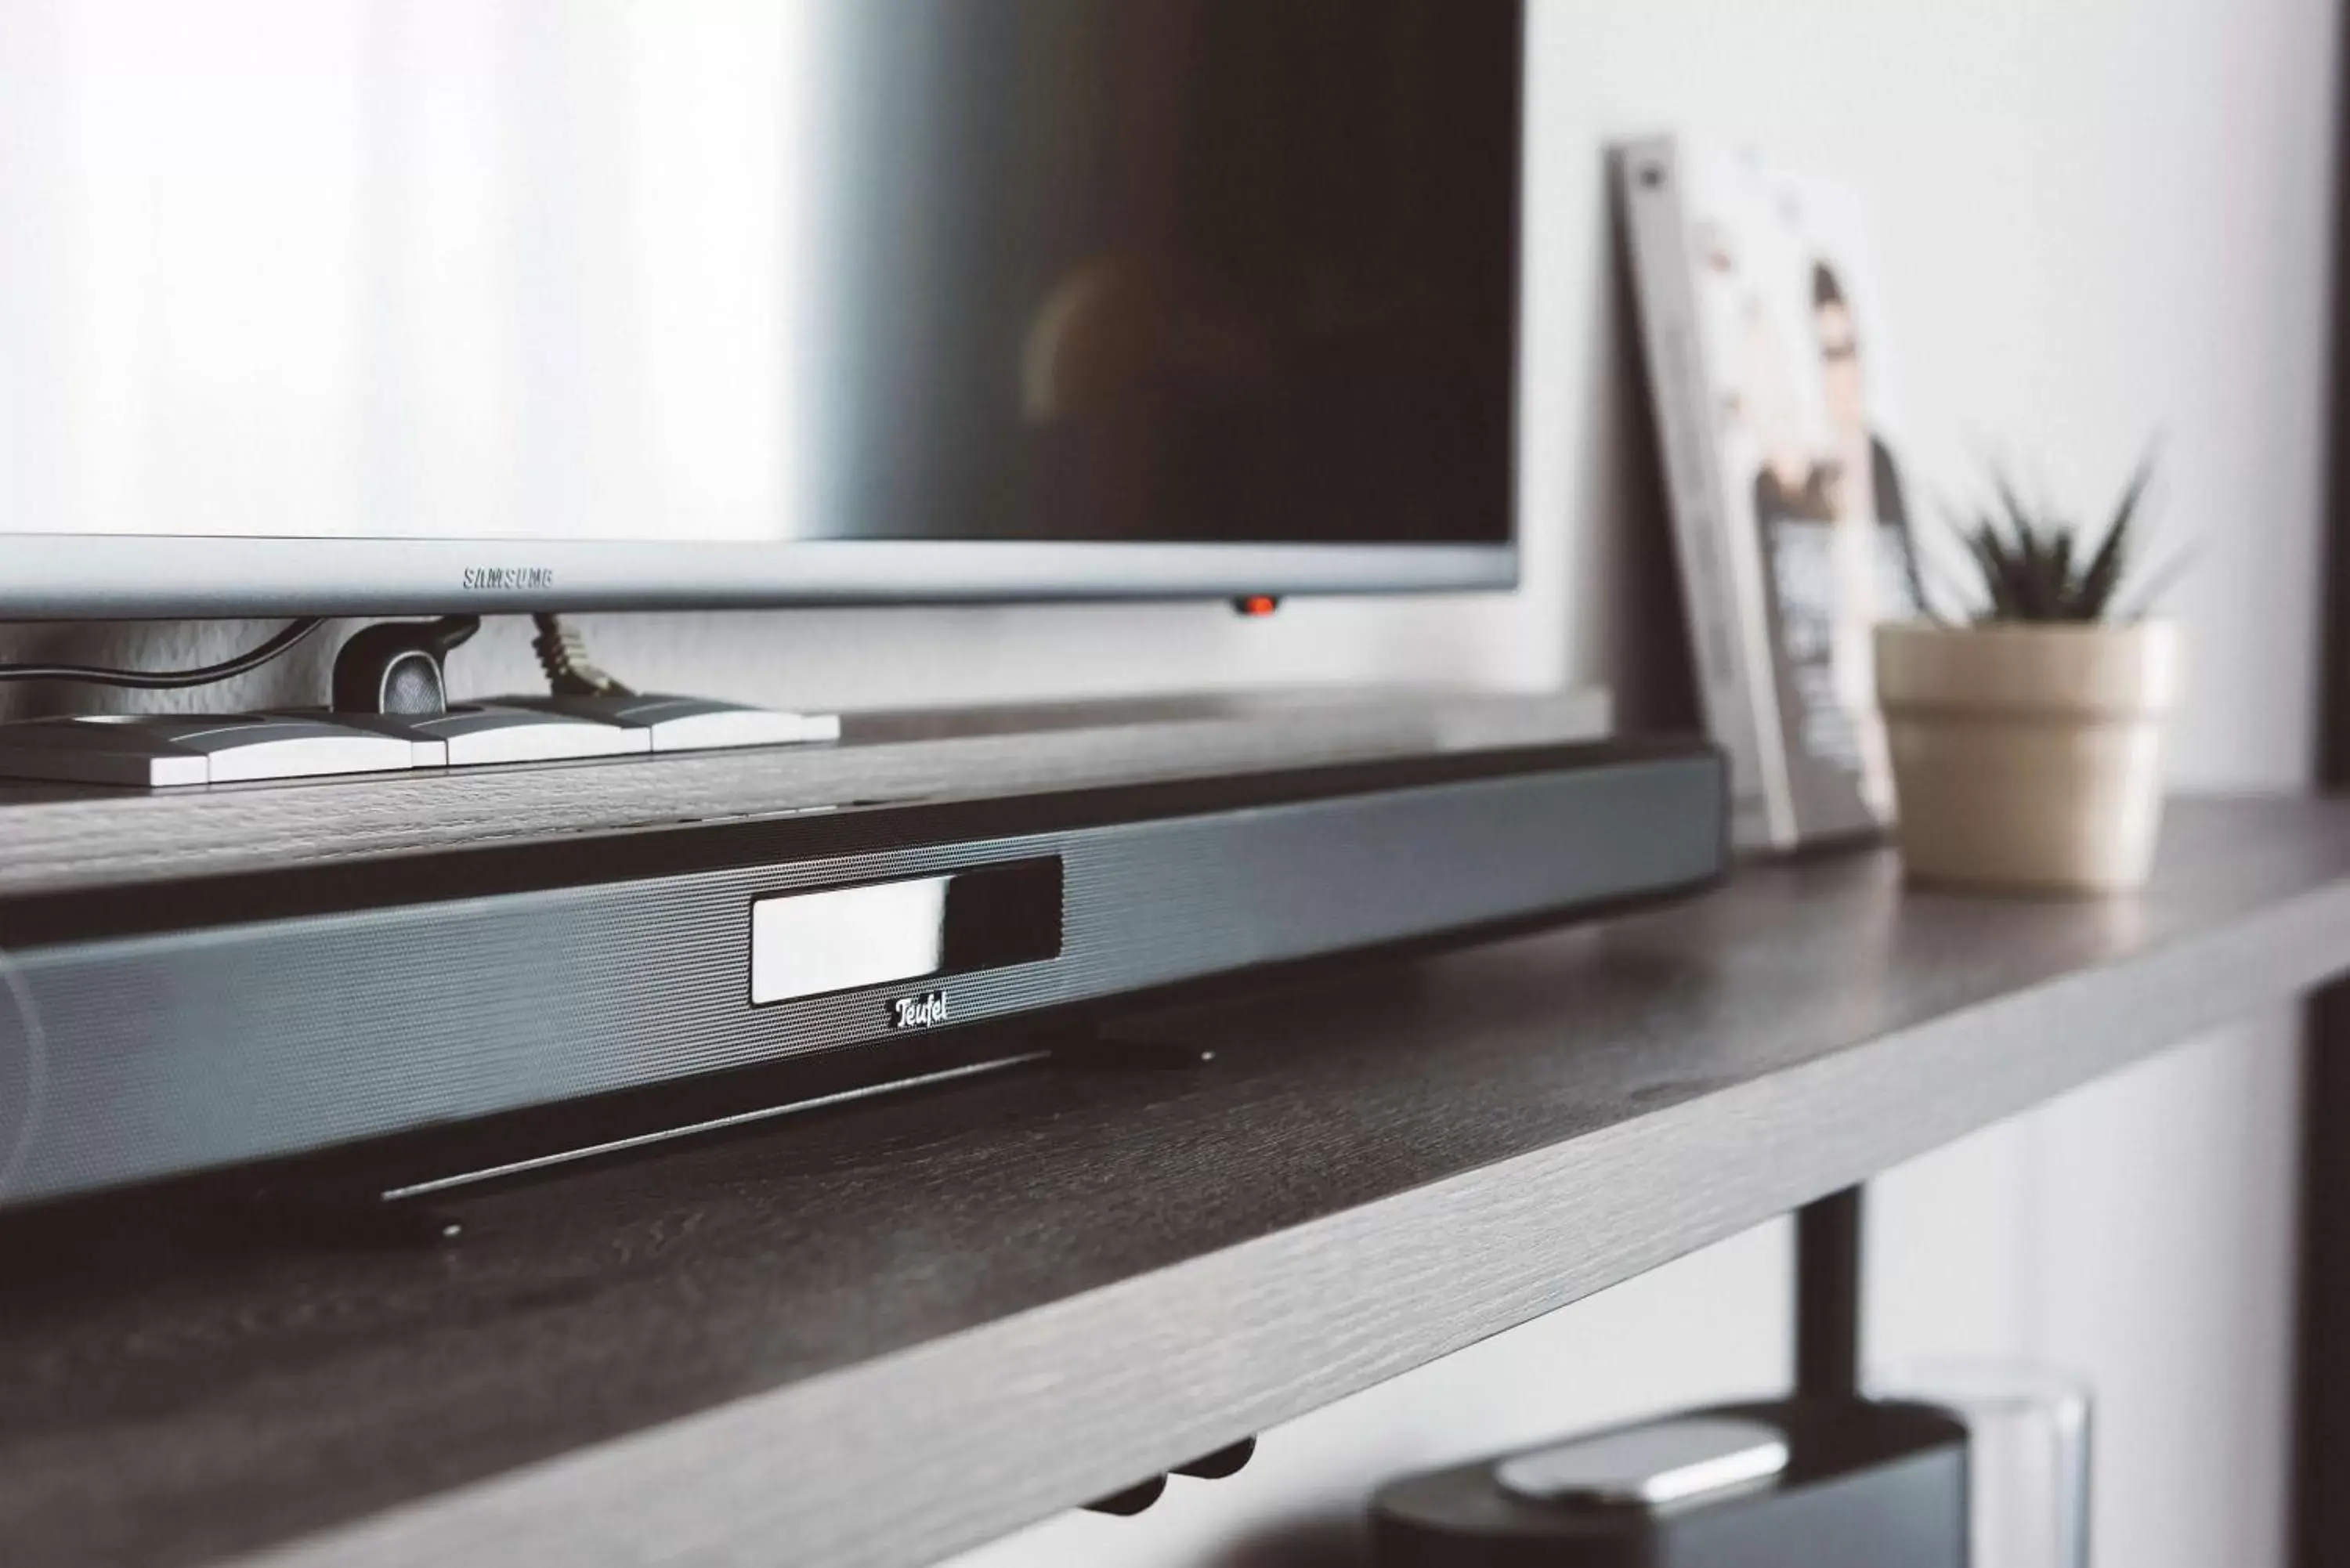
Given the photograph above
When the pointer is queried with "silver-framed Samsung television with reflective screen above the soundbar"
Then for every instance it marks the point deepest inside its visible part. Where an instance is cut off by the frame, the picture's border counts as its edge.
(363, 307)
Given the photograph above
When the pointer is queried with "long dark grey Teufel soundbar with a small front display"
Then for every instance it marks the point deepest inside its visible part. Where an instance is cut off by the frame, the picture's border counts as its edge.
(168, 1028)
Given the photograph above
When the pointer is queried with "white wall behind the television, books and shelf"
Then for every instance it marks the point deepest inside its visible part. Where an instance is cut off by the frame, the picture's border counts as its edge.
(2097, 220)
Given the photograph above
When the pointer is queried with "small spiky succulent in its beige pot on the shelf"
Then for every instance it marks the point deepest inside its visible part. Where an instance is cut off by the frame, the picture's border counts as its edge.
(2027, 739)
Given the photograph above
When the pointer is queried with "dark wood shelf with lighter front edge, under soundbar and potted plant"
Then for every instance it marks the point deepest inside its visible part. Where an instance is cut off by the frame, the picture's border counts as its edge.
(899, 1329)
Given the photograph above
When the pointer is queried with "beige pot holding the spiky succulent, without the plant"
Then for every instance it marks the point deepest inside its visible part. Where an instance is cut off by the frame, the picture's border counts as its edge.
(2029, 756)
